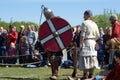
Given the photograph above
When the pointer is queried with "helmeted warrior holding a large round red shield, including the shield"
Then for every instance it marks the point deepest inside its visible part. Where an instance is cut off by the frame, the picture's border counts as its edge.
(55, 34)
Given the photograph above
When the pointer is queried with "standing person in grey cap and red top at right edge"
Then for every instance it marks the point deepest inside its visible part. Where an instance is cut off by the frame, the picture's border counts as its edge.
(114, 37)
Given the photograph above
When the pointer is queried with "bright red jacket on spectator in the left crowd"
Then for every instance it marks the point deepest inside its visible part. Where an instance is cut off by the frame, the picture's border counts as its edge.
(11, 37)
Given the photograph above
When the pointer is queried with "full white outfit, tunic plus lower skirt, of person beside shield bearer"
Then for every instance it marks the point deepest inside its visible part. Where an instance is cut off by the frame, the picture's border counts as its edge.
(87, 58)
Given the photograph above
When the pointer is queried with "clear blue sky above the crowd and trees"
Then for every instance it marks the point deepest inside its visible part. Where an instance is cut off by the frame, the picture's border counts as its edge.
(71, 10)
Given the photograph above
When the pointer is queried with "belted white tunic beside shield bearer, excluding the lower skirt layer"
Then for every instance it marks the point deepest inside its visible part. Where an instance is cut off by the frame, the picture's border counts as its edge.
(91, 33)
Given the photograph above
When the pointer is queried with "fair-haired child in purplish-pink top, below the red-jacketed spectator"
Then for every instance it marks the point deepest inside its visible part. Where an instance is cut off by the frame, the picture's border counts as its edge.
(11, 54)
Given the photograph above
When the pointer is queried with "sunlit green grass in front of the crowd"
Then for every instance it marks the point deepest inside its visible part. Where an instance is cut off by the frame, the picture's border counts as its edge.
(41, 73)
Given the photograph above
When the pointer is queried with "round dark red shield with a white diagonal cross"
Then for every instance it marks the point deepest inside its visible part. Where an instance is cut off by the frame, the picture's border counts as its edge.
(55, 34)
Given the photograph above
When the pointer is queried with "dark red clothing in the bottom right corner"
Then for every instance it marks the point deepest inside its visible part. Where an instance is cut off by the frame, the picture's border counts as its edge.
(114, 74)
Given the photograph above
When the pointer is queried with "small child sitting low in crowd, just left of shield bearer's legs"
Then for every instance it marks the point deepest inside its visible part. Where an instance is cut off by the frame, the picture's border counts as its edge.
(37, 57)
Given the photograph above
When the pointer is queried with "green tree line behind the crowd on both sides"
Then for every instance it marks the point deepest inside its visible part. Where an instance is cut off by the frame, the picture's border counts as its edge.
(102, 20)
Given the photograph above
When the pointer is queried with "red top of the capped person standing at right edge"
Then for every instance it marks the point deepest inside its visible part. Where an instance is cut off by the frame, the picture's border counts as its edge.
(116, 30)
